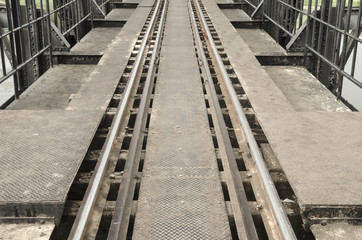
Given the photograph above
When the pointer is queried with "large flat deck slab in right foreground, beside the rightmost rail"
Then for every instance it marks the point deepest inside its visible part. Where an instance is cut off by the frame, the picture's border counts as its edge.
(320, 153)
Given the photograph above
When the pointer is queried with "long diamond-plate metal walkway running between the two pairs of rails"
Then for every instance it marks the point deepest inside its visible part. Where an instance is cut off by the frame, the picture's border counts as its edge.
(180, 194)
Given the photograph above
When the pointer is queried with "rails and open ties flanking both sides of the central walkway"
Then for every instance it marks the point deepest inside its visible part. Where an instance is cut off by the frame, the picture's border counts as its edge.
(103, 200)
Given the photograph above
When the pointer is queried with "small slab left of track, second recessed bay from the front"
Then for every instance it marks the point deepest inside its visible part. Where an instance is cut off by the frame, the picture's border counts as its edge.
(96, 41)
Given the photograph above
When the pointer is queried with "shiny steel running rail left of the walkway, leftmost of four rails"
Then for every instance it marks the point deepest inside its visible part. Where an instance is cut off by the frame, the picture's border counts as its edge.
(82, 218)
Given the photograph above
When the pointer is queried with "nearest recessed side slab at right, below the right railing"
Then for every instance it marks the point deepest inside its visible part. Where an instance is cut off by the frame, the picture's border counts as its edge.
(303, 90)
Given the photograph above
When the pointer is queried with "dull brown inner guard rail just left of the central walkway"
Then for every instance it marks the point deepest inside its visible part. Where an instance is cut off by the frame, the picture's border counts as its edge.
(119, 226)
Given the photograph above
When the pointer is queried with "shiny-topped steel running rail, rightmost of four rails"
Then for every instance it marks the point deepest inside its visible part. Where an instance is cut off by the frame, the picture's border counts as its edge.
(272, 194)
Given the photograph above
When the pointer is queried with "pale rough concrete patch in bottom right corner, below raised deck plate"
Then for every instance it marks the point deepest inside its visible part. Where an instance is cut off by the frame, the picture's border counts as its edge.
(337, 231)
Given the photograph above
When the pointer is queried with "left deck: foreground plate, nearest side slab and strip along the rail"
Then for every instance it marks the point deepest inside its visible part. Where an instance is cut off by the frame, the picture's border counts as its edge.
(42, 150)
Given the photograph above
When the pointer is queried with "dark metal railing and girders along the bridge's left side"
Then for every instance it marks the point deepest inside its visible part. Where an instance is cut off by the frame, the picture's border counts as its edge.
(31, 29)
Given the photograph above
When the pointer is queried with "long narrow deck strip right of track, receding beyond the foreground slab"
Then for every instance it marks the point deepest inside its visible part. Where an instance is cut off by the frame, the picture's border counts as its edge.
(263, 93)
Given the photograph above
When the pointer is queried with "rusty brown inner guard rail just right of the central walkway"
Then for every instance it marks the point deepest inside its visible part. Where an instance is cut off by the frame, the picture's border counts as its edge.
(243, 218)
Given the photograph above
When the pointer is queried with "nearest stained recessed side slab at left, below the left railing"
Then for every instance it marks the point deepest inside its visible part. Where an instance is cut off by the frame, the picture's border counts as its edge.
(54, 88)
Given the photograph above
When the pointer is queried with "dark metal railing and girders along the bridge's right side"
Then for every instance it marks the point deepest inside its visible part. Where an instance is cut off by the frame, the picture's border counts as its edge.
(330, 30)
